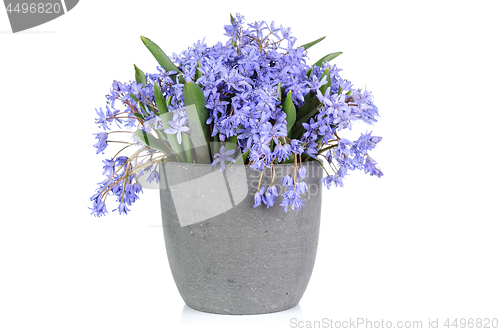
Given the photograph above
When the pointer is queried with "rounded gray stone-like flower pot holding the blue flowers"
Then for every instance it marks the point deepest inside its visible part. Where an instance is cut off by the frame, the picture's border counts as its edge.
(227, 257)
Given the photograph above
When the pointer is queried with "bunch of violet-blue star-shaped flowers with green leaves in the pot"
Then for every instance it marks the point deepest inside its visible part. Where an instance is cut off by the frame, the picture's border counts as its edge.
(253, 94)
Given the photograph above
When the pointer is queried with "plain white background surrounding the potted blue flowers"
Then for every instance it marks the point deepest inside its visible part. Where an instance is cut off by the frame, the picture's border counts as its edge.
(421, 242)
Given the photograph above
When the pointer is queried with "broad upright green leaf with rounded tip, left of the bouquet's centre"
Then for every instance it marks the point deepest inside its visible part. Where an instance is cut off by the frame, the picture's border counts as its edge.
(194, 101)
